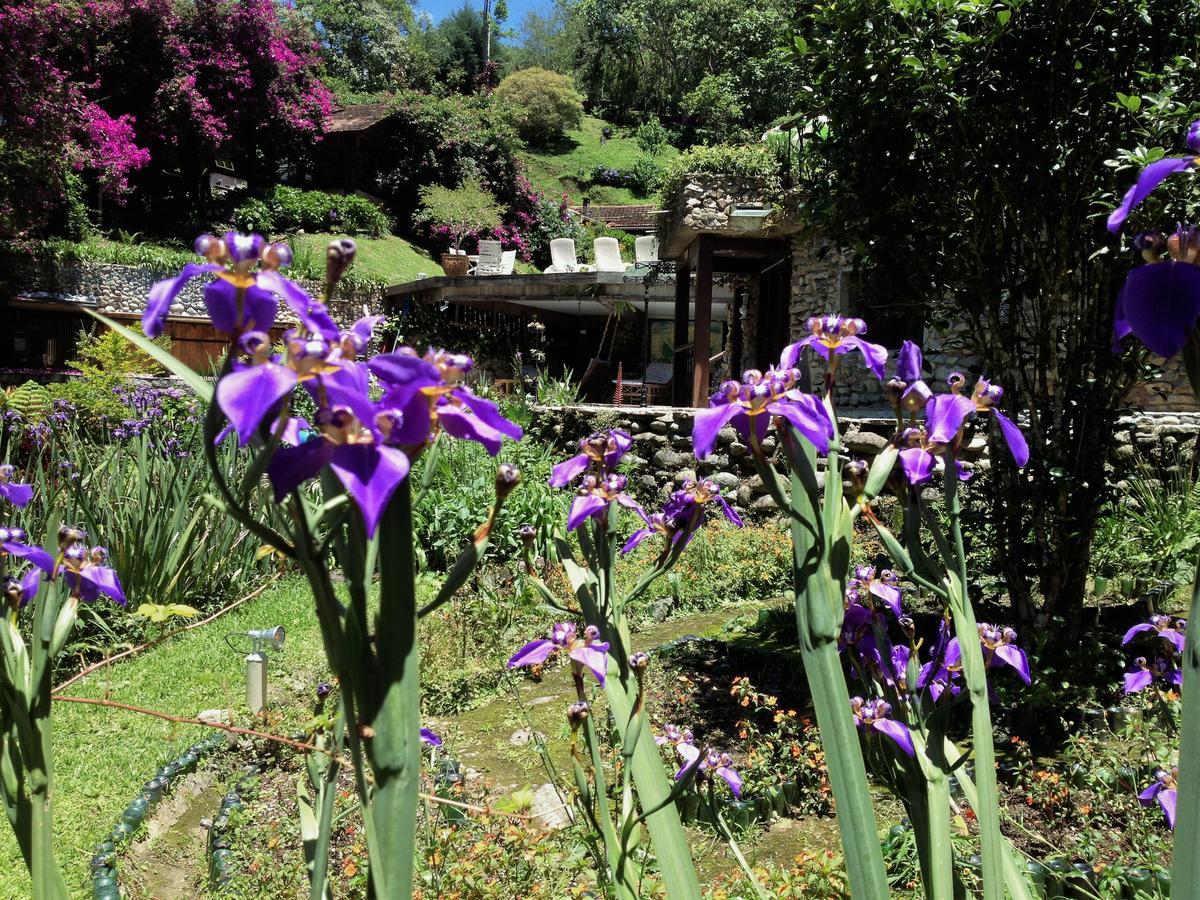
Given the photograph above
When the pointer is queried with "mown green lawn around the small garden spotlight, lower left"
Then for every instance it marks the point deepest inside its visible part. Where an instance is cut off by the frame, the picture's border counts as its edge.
(106, 755)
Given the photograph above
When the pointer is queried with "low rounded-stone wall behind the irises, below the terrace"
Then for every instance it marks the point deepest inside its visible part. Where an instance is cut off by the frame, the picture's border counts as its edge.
(663, 454)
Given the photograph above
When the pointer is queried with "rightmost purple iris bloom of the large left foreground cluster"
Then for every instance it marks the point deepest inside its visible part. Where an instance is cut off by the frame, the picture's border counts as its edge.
(431, 395)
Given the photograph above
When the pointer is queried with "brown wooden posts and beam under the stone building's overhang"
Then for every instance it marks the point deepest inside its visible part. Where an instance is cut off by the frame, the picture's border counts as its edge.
(707, 256)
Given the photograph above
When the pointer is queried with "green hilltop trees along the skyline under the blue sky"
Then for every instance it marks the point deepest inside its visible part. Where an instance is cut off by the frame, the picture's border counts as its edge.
(712, 70)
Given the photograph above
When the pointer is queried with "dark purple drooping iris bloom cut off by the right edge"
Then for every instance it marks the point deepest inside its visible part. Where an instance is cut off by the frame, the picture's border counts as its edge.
(1160, 302)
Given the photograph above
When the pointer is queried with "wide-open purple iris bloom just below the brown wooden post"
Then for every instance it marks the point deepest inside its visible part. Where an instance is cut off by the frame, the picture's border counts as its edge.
(752, 403)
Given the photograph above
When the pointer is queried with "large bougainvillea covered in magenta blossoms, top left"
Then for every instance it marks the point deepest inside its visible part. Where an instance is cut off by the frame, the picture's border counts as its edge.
(105, 97)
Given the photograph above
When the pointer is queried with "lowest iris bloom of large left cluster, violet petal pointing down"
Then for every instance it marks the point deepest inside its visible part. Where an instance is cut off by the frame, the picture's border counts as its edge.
(357, 443)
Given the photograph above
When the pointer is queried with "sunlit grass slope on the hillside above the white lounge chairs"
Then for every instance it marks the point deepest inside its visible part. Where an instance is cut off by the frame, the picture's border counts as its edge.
(557, 170)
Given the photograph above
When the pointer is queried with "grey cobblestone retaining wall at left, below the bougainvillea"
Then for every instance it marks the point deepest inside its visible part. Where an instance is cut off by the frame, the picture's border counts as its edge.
(124, 290)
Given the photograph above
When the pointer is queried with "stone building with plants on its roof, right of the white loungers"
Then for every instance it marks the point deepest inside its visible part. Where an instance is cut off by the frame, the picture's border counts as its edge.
(784, 273)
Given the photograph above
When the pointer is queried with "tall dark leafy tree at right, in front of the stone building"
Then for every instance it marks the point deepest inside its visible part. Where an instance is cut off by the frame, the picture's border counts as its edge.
(973, 152)
